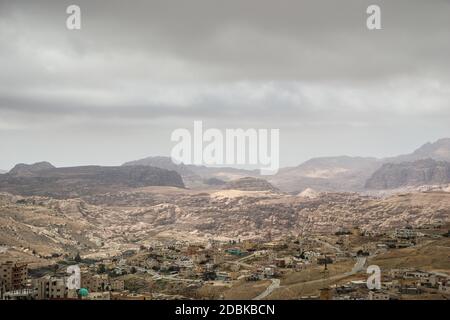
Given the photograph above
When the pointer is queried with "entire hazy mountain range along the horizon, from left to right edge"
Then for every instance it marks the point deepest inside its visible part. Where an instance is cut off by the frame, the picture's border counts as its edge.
(427, 165)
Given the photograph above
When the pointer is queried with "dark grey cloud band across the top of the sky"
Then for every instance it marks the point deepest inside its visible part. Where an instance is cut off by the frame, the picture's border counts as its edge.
(258, 39)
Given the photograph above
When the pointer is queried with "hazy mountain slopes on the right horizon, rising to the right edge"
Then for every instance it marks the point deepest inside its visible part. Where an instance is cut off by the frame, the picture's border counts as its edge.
(355, 173)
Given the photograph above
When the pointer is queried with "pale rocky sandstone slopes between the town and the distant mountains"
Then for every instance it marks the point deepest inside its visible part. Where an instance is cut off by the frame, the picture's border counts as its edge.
(108, 223)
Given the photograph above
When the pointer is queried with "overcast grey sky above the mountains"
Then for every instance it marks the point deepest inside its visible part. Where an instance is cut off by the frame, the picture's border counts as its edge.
(116, 89)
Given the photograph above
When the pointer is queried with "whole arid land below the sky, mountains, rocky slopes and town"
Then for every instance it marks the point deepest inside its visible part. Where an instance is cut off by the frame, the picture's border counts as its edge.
(156, 230)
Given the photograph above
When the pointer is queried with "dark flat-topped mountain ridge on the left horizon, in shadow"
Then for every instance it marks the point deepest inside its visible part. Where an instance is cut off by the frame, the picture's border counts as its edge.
(44, 179)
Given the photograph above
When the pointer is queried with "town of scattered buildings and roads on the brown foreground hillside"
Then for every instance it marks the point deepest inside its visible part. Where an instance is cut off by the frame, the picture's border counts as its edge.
(317, 266)
